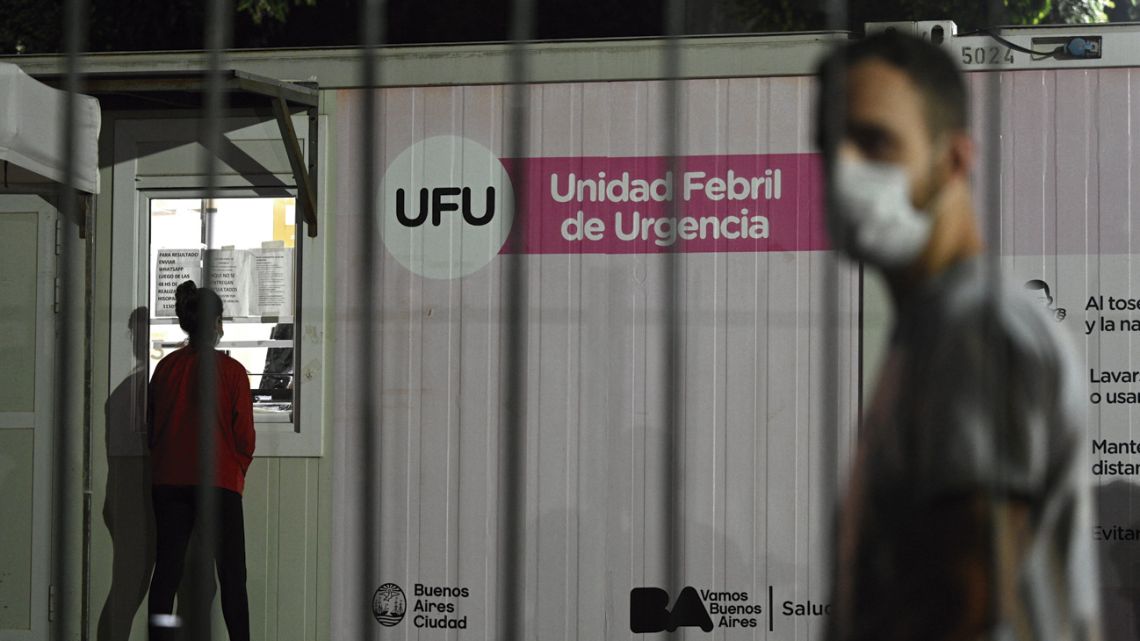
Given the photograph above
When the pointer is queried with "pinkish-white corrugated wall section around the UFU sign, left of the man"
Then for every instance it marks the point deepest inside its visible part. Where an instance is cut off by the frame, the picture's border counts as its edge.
(751, 371)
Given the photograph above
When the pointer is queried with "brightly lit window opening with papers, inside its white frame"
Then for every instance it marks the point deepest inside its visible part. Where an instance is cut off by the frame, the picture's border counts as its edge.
(245, 249)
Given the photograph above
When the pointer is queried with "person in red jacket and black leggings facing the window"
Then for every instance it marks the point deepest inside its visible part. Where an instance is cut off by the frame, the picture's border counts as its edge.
(173, 434)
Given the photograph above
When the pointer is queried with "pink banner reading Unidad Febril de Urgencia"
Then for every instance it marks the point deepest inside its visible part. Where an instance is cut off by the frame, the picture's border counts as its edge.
(641, 205)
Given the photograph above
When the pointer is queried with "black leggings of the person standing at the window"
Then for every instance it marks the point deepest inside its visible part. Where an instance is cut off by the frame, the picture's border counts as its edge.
(175, 508)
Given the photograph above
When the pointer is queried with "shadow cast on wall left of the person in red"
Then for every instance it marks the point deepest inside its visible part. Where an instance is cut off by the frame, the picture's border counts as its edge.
(127, 508)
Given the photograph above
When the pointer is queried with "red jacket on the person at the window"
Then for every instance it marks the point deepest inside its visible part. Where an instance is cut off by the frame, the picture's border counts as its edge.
(173, 431)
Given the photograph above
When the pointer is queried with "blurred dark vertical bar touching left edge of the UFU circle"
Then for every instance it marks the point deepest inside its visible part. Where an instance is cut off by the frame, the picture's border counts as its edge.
(370, 464)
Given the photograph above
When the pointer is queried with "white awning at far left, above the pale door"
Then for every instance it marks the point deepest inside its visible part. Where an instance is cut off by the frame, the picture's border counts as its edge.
(32, 133)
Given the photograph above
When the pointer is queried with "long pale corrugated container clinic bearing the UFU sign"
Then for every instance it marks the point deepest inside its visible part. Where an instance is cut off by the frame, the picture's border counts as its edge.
(745, 500)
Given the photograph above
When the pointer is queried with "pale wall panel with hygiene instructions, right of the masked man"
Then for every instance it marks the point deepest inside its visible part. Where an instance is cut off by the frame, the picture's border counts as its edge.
(1068, 232)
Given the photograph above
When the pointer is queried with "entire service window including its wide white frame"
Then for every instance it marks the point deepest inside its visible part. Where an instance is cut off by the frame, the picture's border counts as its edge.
(253, 241)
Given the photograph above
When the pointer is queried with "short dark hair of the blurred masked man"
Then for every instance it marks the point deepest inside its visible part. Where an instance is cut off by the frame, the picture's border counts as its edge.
(929, 67)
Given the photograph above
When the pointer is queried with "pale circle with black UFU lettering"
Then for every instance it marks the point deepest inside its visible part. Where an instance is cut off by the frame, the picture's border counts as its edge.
(446, 207)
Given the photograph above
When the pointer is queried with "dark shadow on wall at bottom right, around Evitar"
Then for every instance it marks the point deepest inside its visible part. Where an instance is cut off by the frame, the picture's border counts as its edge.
(1118, 551)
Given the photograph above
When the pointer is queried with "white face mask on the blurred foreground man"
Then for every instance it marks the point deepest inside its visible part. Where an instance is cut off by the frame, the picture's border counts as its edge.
(873, 218)
